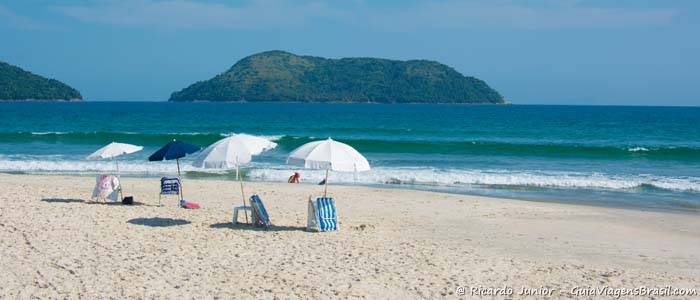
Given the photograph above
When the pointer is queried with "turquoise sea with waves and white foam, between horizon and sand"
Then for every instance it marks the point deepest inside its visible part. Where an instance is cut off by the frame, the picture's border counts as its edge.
(622, 156)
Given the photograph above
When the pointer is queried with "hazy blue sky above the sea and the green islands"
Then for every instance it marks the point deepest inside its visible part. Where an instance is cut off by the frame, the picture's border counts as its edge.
(570, 52)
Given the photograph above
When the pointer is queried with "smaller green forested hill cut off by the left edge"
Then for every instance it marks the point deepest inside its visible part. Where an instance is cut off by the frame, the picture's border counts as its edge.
(17, 84)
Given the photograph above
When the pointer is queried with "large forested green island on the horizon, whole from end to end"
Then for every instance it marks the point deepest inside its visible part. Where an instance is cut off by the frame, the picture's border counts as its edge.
(278, 76)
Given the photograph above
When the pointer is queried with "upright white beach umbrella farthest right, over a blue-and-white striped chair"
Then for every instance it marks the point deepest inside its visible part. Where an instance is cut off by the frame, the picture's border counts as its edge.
(328, 155)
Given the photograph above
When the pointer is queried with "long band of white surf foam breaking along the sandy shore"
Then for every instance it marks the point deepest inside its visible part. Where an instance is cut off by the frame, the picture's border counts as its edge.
(382, 175)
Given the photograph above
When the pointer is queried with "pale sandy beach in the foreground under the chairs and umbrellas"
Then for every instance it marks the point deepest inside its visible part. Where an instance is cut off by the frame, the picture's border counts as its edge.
(392, 244)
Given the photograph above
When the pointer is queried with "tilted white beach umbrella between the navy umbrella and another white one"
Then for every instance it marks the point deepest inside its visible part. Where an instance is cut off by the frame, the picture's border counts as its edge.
(232, 152)
